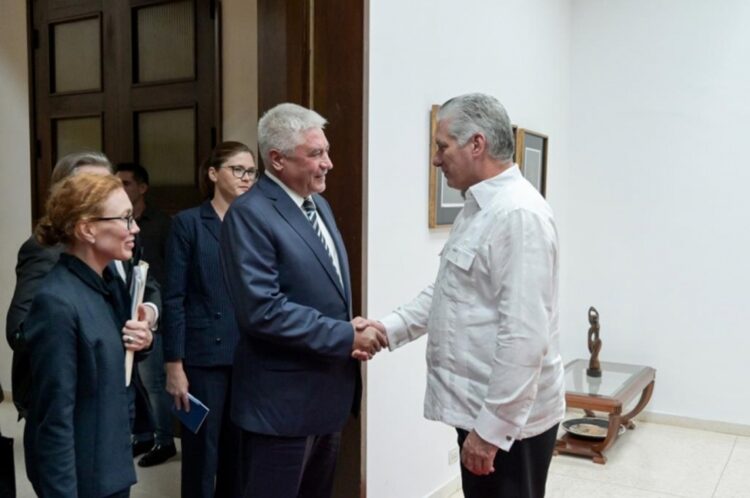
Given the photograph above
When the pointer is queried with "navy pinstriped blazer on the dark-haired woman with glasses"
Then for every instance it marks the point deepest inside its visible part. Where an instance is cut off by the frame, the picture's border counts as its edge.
(199, 324)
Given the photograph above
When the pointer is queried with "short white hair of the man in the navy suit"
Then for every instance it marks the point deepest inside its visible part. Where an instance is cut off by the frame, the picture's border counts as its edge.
(281, 128)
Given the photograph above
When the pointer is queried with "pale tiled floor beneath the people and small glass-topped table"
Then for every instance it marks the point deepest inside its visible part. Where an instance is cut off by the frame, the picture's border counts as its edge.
(653, 461)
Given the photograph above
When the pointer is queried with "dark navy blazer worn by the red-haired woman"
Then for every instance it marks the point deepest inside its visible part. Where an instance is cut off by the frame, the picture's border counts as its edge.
(77, 436)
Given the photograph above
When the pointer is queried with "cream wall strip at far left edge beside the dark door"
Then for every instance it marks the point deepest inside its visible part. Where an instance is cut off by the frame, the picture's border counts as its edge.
(15, 190)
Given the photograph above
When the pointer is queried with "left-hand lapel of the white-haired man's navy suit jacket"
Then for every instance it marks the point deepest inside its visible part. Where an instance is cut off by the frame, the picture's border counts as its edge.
(293, 215)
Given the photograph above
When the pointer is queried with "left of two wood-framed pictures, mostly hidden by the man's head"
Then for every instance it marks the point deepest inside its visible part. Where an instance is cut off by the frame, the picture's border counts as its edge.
(445, 202)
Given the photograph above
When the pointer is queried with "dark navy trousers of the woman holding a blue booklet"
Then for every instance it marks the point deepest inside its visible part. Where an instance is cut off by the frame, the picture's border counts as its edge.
(210, 459)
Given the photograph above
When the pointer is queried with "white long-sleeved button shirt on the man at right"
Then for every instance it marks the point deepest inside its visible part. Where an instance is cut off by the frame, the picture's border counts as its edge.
(492, 353)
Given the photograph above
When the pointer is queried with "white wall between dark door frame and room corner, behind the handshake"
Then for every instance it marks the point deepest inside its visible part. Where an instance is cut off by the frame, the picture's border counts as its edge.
(422, 53)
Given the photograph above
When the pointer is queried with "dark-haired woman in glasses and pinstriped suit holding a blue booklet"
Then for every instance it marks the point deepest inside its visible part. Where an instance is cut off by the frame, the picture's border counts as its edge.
(200, 330)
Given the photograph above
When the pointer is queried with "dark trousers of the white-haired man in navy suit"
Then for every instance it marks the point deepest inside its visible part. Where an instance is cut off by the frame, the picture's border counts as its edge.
(288, 467)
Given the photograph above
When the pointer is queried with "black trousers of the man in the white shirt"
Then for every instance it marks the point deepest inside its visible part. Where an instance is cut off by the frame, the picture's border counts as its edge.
(519, 473)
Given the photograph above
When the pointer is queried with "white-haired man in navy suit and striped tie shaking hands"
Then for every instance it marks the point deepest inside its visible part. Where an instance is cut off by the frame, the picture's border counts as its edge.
(294, 380)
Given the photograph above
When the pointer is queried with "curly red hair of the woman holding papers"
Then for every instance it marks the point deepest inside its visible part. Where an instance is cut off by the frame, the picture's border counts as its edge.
(72, 199)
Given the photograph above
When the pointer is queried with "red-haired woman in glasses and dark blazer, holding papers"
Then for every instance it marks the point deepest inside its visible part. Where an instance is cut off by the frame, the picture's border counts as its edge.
(77, 436)
